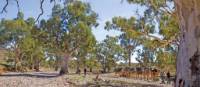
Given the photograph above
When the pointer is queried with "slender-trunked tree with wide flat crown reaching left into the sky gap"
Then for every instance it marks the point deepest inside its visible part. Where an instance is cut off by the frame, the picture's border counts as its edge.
(135, 32)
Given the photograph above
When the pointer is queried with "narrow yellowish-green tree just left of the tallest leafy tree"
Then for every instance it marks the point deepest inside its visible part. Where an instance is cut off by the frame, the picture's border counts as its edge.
(33, 46)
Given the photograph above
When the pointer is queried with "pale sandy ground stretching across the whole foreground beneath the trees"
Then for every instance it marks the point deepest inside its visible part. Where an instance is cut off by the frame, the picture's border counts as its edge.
(51, 79)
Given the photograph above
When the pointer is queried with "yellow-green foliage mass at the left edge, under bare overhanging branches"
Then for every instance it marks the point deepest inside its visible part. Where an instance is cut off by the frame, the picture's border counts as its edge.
(18, 37)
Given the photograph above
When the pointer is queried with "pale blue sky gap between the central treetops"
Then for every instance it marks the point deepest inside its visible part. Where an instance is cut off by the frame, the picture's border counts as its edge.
(107, 9)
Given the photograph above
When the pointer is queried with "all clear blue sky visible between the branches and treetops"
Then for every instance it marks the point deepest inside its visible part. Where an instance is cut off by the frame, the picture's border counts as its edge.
(106, 10)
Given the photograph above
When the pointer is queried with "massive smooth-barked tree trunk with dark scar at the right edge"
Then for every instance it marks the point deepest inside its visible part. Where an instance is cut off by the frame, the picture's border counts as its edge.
(188, 65)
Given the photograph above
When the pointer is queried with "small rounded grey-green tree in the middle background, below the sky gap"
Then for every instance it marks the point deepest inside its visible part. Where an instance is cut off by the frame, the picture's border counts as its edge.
(109, 53)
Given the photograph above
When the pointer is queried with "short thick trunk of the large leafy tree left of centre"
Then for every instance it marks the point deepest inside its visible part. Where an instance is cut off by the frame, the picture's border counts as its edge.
(64, 65)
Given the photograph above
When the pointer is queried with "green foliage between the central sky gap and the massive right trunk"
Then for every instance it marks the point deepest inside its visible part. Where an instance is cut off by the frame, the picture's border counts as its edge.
(141, 30)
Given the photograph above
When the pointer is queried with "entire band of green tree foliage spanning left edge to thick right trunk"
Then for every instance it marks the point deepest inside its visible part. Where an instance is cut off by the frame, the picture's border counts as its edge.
(69, 31)
